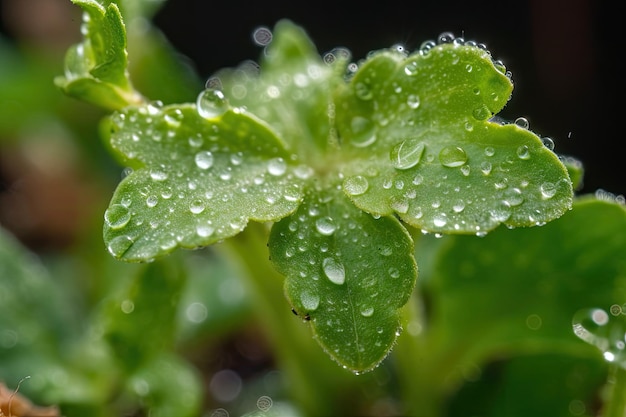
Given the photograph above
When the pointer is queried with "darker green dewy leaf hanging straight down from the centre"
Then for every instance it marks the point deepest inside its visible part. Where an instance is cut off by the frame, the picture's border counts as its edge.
(348, 274)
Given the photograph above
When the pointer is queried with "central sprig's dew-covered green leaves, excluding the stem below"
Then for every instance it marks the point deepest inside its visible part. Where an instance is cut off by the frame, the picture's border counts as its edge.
(297, 131)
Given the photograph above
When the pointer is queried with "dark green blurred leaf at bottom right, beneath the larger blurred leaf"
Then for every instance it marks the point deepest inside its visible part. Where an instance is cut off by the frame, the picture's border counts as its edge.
(549, 385)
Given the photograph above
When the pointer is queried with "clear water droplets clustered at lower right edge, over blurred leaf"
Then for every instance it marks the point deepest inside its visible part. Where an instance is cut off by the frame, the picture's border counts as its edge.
(605, 330)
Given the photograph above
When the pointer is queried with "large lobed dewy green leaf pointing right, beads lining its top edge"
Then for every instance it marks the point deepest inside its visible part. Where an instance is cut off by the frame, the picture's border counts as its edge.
(421, 144)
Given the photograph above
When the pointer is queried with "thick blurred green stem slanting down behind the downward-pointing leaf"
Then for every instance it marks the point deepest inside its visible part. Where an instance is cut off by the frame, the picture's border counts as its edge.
(315, 381)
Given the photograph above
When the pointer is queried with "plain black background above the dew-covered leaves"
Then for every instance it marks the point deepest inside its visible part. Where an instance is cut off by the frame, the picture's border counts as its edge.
(564, 55)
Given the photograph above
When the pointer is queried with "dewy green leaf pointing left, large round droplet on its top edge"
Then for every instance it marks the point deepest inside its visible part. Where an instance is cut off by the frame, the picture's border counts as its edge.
(197, 181)
